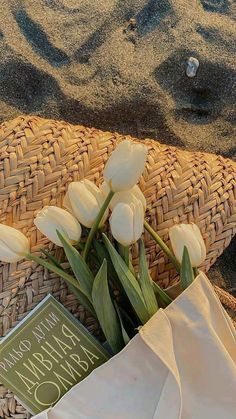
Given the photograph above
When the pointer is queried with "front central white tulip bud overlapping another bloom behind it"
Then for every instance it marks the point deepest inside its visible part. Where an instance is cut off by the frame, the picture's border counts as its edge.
(126, 222)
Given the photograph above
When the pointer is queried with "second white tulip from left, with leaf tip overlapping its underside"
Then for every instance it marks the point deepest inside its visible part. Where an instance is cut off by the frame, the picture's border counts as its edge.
(50, 219)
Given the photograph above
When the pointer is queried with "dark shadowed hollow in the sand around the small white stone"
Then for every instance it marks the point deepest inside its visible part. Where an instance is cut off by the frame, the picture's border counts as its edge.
(201, 99)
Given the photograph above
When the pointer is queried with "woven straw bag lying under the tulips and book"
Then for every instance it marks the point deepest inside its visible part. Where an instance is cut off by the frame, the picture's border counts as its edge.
(39, 158)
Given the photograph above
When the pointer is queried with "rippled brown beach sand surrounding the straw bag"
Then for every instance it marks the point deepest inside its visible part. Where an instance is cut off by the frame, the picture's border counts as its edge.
(121, 65)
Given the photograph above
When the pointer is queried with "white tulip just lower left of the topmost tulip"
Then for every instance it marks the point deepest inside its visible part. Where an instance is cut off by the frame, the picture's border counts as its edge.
(84, 199)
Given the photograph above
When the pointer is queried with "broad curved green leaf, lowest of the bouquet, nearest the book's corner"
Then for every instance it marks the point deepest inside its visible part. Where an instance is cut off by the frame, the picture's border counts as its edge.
(105, 310)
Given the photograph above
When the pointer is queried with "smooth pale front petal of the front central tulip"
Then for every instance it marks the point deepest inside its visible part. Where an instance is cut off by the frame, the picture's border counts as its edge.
(121, 223)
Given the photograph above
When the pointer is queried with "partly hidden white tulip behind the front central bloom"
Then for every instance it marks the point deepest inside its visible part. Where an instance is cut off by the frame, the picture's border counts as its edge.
(125, 196)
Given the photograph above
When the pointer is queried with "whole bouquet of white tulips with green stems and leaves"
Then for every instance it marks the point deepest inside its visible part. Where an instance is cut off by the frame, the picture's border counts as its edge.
(102, 275)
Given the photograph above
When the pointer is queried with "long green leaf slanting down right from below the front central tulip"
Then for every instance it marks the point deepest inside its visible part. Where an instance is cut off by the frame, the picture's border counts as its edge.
(128, 281)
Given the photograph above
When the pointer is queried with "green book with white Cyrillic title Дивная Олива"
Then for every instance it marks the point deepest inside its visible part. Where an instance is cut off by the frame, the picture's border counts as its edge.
(46, 354)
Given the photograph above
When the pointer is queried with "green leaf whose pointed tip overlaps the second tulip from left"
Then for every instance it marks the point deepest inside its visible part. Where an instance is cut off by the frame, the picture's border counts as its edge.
(78, 266)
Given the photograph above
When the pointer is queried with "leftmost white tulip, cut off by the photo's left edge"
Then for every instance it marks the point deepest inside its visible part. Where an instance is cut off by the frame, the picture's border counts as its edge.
(13, 244)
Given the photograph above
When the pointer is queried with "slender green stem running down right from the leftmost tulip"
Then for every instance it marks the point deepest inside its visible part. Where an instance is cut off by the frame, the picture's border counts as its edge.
(71, 281)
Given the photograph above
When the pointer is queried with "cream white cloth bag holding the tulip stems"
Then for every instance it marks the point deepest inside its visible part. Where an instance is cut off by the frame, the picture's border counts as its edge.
(181, 365)
